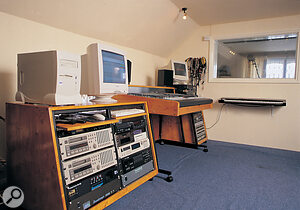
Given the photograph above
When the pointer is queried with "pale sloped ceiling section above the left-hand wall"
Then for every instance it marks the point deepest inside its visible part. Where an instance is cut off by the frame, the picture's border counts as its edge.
(153, 26)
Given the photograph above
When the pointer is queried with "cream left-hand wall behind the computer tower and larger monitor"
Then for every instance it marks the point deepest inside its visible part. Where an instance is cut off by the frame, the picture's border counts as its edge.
(20, 35)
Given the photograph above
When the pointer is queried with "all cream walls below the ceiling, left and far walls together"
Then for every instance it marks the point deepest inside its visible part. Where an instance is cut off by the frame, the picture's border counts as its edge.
(241, 125)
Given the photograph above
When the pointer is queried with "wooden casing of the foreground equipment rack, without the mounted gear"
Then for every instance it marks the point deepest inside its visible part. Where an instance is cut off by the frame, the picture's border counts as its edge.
(33, 161)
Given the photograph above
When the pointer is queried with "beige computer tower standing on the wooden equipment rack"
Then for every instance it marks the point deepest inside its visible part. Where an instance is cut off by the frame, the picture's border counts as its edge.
(50, 77)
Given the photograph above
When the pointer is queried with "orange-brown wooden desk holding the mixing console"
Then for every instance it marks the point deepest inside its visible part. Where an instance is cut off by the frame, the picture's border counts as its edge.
(170, 122)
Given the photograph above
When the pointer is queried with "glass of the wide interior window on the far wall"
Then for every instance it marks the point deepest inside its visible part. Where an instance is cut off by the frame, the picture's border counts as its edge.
(258, 57)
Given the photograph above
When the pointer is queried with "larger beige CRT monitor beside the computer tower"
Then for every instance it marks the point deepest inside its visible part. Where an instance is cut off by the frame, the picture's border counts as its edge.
(105, 72)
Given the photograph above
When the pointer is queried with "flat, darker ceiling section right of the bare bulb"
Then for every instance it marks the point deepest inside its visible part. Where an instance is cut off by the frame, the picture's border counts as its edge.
(210, 12)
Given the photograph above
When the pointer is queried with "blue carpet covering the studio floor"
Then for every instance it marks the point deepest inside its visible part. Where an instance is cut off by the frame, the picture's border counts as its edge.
(229, 176)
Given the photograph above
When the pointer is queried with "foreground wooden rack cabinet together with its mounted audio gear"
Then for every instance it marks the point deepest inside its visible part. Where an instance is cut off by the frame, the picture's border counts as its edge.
(38, 164)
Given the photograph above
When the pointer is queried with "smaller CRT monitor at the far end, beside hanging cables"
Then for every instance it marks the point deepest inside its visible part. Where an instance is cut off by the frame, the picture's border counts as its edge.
(180, 73)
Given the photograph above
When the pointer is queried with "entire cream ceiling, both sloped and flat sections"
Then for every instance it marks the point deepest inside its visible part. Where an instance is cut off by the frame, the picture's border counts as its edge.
(154, 26)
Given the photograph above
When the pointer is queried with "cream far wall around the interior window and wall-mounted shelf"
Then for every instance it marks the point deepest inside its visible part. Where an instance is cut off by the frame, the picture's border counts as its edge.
(253, 126)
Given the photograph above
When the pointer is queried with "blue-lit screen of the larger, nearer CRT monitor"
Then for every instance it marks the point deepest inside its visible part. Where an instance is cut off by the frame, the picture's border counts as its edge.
(113, 67)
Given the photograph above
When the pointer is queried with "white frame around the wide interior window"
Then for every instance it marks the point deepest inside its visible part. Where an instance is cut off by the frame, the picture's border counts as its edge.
(212, 71)
